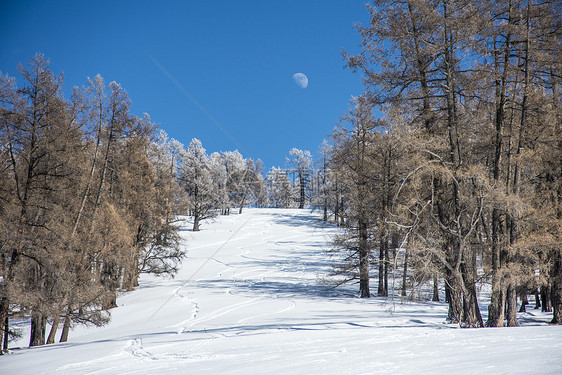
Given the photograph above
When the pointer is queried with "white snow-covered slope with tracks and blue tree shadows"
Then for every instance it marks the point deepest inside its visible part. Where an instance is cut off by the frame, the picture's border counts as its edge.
(247, 301)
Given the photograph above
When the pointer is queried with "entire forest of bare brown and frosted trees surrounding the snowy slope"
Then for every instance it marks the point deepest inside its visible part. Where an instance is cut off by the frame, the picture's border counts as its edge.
(446, 171)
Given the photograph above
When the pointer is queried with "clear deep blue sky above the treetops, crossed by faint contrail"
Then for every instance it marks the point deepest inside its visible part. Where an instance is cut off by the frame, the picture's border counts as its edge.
(236, 58)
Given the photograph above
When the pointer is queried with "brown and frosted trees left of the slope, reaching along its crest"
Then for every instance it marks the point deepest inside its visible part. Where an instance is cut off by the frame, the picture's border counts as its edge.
(91, 196)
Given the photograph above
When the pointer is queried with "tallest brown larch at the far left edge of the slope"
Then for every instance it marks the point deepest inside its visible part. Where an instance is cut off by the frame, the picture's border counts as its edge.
(41, 140)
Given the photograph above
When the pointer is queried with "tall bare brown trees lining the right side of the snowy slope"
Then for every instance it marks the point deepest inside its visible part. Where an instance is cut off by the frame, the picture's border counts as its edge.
(461, 180)
